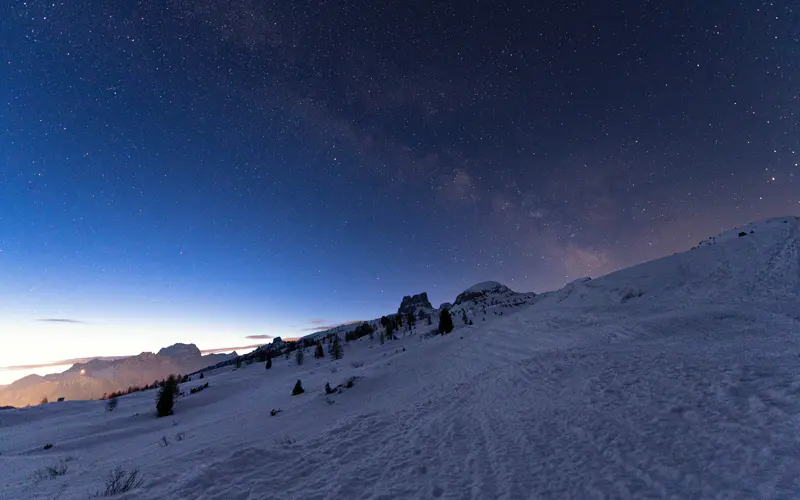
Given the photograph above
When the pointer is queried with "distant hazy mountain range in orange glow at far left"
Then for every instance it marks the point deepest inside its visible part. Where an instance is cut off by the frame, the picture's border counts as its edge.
(96, 377)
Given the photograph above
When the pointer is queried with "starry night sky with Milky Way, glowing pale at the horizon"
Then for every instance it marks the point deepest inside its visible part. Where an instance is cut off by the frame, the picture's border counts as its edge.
(221, 172)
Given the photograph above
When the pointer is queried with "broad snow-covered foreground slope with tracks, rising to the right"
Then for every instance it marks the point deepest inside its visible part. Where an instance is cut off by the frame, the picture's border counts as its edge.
(676, 378)
